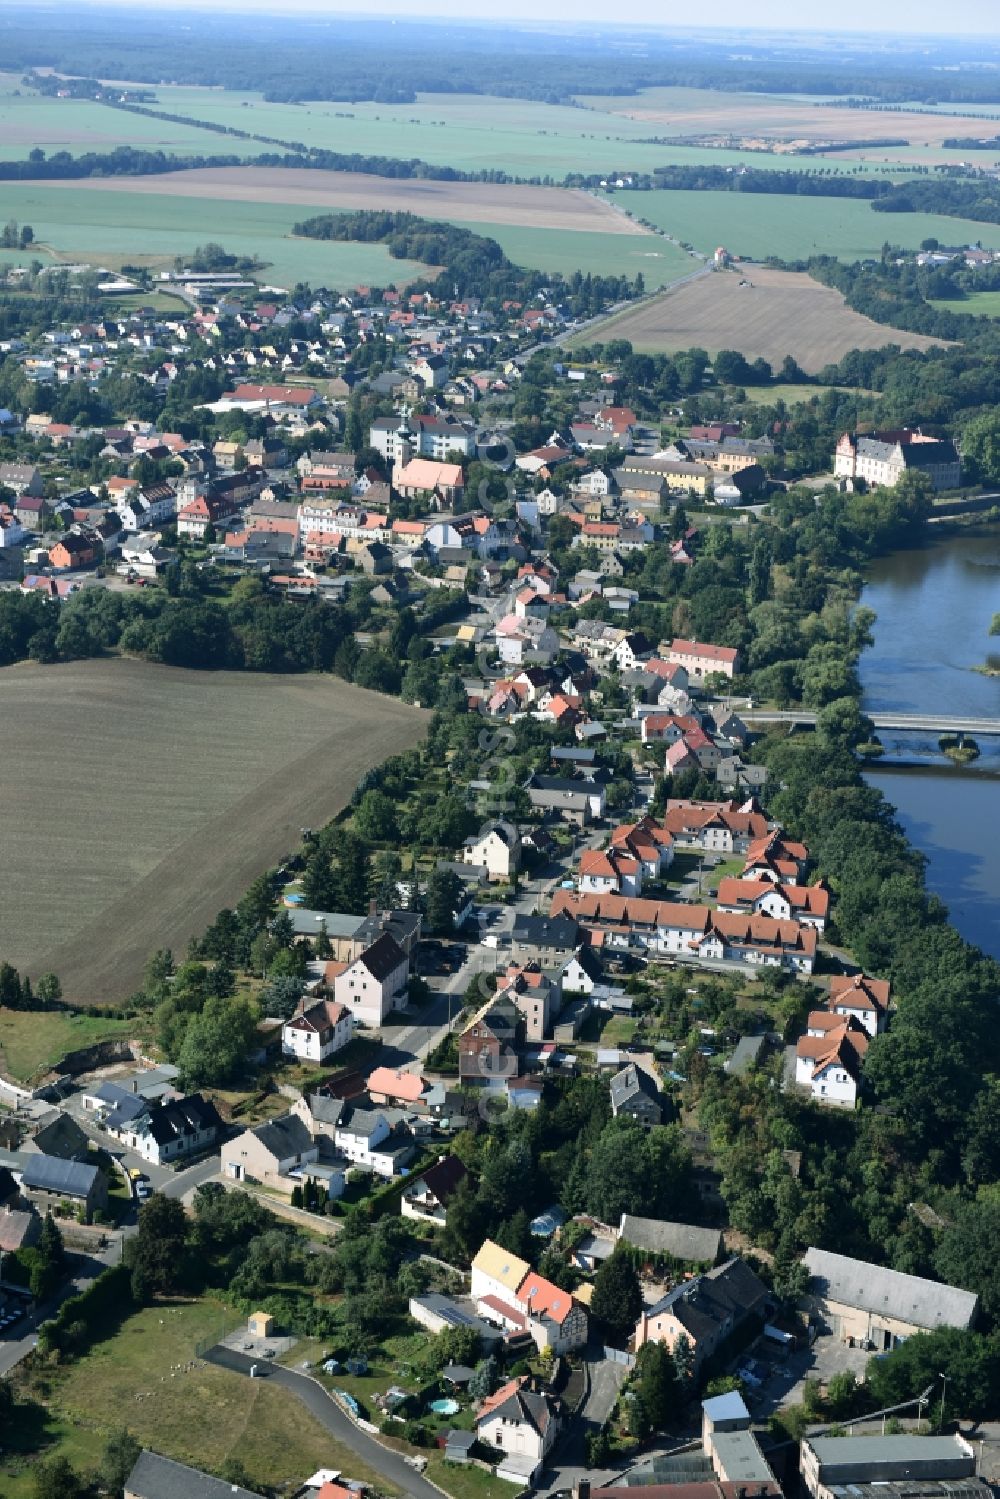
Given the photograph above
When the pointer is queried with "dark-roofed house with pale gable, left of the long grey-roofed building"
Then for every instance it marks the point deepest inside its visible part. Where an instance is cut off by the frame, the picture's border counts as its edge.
(705, 1311)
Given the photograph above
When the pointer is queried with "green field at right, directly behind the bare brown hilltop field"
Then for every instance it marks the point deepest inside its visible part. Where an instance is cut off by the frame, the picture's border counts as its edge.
(756, 226)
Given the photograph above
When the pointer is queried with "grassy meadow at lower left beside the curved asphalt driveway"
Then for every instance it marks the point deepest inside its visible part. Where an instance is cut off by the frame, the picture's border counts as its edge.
(149, 1378)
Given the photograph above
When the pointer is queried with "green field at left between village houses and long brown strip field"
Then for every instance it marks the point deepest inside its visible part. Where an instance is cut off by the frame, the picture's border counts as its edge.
(112, 229)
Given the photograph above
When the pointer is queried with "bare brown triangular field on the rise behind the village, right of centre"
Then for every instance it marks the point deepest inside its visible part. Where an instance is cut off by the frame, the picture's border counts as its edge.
(782, 313)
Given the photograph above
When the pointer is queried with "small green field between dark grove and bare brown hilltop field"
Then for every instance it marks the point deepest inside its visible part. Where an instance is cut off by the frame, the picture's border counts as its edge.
(602, 254)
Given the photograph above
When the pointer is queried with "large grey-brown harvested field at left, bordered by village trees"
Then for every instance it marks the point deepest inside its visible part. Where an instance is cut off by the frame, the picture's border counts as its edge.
(148, 798)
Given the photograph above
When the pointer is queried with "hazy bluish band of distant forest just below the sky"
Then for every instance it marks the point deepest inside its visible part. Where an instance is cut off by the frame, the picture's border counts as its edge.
(296, 59)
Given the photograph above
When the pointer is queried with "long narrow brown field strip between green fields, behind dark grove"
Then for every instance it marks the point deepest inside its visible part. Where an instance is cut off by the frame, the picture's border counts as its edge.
(476, 203)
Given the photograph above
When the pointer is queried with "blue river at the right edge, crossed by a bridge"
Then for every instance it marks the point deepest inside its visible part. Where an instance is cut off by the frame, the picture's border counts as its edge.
(935, 608)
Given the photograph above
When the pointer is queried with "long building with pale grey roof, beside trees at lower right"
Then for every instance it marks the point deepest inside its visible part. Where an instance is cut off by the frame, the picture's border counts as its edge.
(879, 1306)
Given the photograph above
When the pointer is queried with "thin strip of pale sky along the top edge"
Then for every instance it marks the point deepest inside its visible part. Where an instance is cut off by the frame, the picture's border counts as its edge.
(908, 17)
